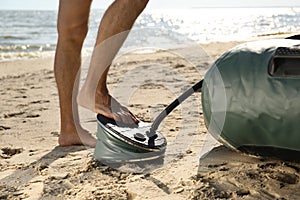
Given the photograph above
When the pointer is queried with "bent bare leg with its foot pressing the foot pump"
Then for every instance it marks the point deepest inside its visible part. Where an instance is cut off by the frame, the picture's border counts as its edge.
(113, 30)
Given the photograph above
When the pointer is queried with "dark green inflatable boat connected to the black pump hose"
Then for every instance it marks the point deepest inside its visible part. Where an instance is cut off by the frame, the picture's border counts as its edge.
(251, 97)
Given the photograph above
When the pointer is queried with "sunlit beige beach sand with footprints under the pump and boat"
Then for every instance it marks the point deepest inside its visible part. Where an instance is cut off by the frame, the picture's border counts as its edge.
(33, 166)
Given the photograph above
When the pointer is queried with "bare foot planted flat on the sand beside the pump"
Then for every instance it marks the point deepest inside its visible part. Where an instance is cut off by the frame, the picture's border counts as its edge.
(72, 136)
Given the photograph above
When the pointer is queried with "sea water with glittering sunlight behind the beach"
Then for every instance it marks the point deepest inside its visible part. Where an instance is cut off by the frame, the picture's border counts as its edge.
(27, 34)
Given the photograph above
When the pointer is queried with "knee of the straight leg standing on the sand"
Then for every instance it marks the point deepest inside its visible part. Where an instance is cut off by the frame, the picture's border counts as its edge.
(72, 34)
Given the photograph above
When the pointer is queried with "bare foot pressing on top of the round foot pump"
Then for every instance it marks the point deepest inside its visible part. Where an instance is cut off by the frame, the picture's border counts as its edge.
(106, 105)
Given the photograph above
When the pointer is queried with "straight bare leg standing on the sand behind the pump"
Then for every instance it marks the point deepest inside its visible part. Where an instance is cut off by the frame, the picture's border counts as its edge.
(72, 29)
